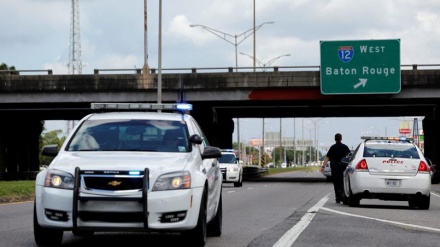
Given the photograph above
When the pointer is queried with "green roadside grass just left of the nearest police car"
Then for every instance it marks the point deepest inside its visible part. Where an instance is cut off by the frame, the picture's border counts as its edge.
(13, 191)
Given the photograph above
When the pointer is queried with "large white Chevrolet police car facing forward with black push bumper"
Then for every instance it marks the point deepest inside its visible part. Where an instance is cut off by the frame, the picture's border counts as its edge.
(130, 171)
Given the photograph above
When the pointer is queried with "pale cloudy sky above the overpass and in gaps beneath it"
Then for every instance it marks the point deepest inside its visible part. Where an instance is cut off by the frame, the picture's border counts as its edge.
(35, 36)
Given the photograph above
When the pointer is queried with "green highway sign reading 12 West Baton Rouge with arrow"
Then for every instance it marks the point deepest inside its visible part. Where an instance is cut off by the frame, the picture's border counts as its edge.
(360, 67)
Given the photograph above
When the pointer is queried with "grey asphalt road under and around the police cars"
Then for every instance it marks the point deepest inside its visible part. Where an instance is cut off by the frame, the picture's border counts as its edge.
(297, 211)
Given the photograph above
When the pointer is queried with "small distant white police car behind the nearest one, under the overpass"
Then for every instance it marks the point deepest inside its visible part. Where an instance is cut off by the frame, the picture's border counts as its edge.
(231, 168)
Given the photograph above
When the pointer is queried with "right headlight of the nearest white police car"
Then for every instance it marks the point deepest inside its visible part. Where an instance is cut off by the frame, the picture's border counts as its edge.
(173, 181)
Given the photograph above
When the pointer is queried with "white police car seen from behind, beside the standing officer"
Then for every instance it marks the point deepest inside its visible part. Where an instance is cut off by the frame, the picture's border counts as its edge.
(387, 168)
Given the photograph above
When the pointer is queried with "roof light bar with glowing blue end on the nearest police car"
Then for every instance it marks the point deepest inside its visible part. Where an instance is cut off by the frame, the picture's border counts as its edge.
(141, 106)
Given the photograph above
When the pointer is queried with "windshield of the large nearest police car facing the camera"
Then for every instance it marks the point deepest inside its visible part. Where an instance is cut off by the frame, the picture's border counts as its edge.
(130, 135)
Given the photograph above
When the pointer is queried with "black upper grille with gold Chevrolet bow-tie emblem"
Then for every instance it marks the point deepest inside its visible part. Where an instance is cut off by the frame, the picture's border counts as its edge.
(113, 183)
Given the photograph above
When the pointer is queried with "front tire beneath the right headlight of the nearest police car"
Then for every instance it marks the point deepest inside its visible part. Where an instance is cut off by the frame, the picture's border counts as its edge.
(197, 236)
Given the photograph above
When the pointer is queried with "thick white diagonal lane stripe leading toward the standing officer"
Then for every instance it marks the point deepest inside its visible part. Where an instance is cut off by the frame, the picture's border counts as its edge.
(290, 236)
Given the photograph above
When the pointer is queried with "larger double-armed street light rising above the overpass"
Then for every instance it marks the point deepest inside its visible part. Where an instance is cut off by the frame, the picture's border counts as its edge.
(237, 39)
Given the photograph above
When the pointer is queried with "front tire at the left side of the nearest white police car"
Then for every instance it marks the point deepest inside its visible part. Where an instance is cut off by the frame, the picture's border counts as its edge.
(46, 236)
